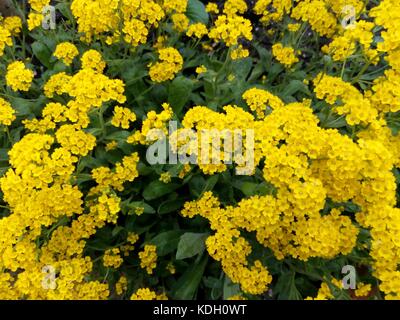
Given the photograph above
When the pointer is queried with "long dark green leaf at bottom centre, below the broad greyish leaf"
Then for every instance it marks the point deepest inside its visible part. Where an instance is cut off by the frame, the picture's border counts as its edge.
(186, 287)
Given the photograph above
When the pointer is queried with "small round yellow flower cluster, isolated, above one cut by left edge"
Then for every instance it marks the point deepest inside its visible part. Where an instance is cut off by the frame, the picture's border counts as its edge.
(18, 77)
